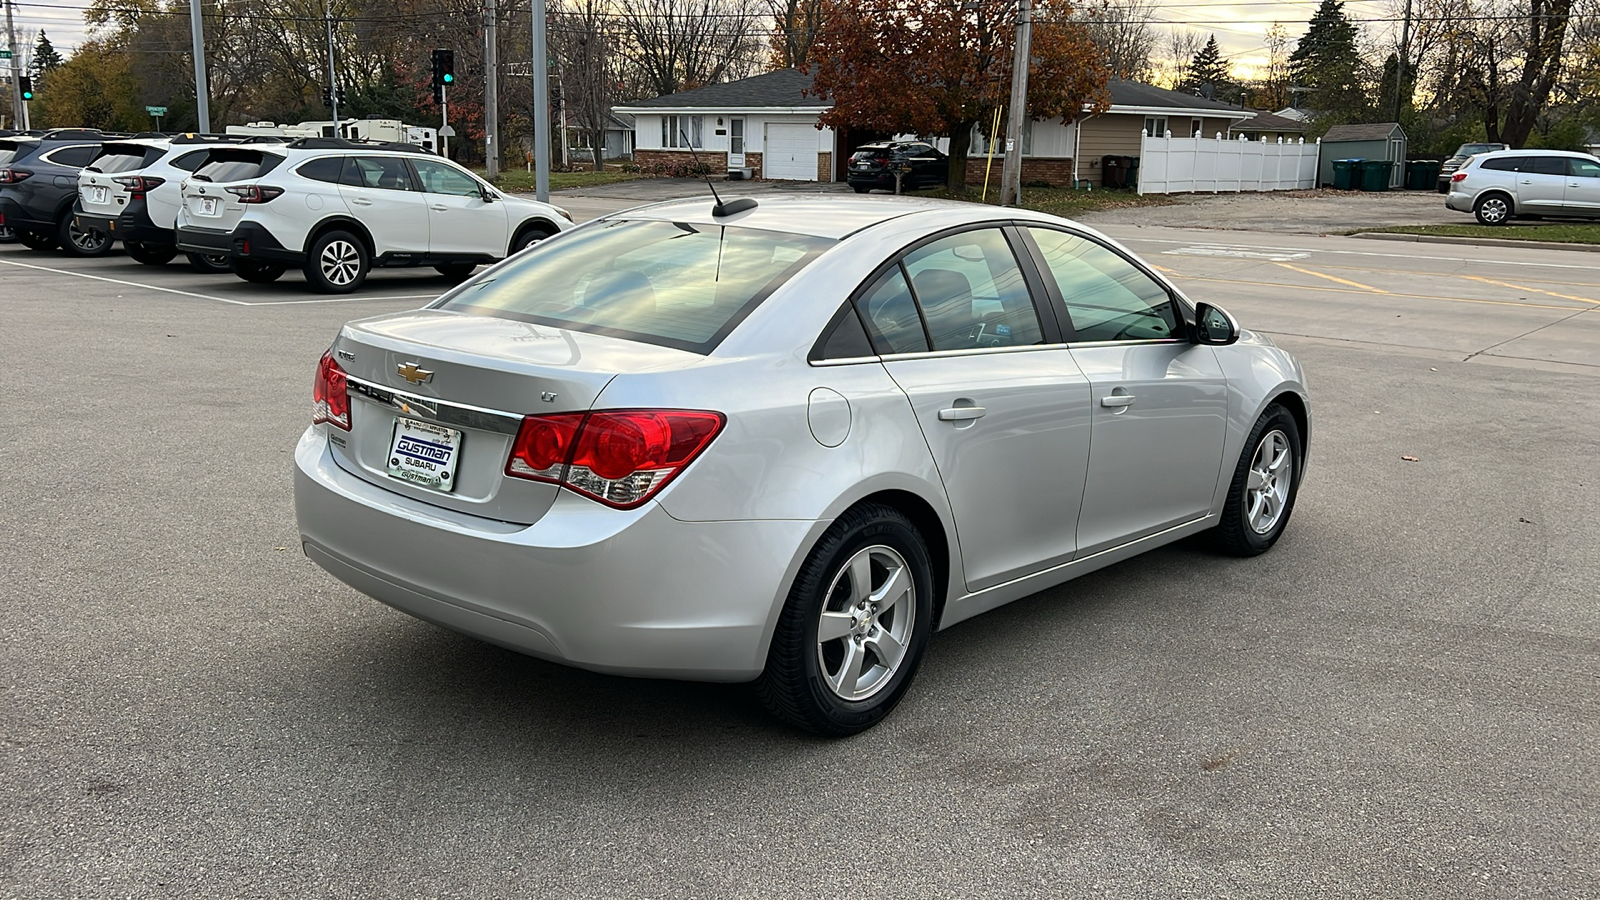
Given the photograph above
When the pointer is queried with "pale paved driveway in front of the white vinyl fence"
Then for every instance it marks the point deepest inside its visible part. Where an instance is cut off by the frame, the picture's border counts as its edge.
(1289, 212)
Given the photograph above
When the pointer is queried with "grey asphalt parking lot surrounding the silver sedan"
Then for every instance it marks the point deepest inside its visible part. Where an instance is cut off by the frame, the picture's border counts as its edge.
(1401, 701)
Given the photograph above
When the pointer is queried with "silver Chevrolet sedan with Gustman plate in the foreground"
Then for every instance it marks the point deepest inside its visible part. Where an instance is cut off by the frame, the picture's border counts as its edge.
(788, 443)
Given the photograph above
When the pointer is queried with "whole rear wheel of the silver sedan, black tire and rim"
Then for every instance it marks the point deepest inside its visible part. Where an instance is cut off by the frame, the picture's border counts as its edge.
(855, 627)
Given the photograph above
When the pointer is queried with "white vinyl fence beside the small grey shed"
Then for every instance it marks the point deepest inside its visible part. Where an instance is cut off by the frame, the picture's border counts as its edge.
(1177, 166)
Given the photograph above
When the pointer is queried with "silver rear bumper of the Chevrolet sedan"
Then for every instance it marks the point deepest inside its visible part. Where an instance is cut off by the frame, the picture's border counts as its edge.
(633, 593)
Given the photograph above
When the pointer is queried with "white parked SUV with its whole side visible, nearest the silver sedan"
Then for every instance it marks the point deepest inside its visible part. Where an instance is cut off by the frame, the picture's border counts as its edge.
(338, 207)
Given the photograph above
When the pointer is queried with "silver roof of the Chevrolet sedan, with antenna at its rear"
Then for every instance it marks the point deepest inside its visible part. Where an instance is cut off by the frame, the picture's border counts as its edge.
(820, 215)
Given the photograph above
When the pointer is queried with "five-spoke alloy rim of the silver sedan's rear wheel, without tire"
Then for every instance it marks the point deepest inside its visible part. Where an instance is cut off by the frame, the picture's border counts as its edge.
(866, 622)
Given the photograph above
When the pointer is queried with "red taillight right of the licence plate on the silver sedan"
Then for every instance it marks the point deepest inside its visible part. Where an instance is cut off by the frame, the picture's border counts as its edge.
(617, 457)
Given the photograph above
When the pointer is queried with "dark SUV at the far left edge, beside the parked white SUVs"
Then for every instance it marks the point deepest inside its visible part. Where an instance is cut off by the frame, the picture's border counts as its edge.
(39, 183)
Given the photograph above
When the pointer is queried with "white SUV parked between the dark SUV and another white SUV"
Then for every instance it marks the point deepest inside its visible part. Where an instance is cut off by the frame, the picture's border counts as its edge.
(130, 193)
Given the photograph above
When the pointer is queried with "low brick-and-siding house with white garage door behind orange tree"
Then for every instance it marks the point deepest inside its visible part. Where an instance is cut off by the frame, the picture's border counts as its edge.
(769, 124)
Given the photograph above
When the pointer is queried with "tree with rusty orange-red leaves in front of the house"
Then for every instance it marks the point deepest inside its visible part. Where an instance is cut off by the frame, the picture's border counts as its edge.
(945, 66)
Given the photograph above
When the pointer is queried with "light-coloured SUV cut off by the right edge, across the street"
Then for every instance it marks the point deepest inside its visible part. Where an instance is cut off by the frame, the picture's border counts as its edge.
(1503, 185)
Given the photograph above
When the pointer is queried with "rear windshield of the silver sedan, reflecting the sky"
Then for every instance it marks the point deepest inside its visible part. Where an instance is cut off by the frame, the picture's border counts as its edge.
(673, 284)
